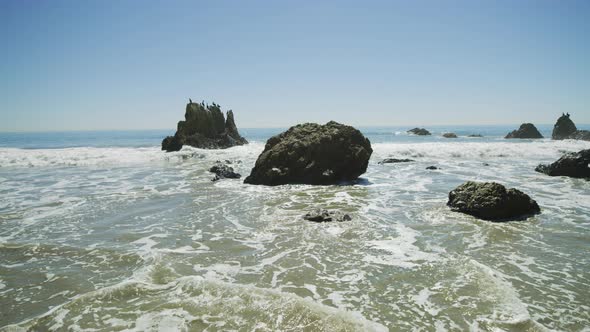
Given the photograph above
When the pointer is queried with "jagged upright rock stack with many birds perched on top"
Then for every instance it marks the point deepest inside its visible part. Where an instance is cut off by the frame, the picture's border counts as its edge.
(204, 127)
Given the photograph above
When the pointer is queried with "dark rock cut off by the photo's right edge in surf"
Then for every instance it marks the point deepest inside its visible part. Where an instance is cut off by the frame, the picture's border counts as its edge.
(571, 164)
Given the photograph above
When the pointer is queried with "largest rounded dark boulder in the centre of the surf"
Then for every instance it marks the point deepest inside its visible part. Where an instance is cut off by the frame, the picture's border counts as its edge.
(312, 154)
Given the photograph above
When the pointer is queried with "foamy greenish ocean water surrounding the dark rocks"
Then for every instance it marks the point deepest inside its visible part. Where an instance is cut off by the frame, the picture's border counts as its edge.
(102, 231)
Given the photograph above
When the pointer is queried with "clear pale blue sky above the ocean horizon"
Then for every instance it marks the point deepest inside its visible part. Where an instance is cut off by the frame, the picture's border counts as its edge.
(77, 65)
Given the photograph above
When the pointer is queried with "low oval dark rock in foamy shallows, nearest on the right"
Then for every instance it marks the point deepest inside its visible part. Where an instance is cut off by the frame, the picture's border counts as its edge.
(491, 201)
